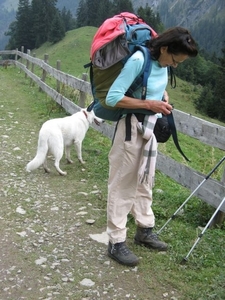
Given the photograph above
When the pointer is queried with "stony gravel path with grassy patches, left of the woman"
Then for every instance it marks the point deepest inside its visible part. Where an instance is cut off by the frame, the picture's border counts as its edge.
(49, 249)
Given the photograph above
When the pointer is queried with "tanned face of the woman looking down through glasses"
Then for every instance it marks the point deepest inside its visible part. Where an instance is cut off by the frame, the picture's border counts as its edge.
(168, 59)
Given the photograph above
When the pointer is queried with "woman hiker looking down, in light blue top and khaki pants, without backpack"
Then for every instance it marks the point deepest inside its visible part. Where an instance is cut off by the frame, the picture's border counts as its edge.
(133, 154)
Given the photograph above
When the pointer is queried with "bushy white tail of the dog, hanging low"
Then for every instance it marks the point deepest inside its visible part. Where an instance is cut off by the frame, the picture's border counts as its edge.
(41, 155)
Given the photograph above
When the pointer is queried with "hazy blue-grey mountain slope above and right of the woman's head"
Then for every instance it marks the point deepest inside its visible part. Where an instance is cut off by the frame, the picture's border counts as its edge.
(205, 19)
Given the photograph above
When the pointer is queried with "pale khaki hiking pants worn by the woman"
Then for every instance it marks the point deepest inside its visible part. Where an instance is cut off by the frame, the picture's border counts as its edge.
(125, 193)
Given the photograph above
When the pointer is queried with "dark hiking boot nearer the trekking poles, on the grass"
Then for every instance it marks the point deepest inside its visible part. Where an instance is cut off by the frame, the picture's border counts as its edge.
(149, 239)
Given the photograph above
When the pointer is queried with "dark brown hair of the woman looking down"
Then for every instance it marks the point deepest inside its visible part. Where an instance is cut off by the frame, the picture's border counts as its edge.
(177, 39)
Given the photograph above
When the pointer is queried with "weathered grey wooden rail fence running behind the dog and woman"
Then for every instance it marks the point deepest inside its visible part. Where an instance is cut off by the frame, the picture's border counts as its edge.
(206, 132)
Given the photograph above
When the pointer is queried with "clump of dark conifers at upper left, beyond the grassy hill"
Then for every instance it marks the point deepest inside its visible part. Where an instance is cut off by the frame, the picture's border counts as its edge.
(37, 23)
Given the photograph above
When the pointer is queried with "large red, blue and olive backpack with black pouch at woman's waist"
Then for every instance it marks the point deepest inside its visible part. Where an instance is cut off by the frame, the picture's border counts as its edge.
(114, 42)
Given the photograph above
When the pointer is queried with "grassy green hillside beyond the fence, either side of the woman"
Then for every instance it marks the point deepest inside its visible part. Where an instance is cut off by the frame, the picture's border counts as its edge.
(74, 52)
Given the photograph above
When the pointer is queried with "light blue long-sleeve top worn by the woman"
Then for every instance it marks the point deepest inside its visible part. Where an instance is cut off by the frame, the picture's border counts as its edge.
(156, 84)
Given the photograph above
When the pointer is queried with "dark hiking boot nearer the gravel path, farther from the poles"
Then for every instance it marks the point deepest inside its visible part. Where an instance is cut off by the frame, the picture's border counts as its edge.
(122, 254)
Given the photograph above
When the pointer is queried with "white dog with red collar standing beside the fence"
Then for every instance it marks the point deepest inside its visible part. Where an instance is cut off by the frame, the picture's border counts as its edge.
(60, 133)
